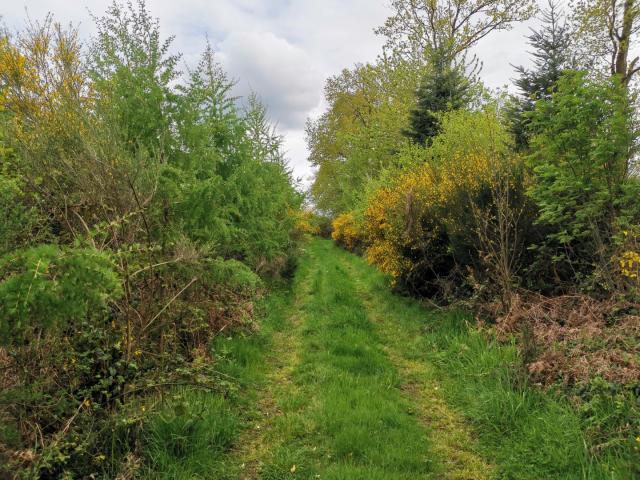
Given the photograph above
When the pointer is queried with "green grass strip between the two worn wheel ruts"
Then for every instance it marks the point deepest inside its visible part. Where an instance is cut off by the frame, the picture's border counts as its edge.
(343, 417)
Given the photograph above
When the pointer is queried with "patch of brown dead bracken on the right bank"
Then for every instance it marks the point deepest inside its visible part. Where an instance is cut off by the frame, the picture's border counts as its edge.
(575, 338)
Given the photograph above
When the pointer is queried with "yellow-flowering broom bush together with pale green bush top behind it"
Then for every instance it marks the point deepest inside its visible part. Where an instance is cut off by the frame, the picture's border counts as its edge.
(418, 226)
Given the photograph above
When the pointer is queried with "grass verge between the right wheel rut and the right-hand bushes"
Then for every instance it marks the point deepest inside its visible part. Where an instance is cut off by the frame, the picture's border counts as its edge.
(527, 433)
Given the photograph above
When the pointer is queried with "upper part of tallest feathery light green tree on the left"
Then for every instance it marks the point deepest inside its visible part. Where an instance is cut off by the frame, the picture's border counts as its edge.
(132, 70)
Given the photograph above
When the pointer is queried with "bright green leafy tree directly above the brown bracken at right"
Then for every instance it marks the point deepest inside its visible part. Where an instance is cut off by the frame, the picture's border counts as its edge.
(580, 159)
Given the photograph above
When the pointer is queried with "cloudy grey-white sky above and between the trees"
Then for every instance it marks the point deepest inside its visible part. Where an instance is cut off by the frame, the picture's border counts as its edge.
(282, 49)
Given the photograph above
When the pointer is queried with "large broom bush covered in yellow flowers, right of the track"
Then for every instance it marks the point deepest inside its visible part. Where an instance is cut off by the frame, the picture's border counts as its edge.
(410, 225)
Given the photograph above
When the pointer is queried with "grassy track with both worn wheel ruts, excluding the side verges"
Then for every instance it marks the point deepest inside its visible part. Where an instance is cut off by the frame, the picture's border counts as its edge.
(345, 396)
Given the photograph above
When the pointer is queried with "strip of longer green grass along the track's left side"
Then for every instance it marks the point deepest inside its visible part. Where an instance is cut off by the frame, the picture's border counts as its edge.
(193, 433)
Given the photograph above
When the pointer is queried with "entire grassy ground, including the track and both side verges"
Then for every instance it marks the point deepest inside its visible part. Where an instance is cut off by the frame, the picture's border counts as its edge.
(346, 381)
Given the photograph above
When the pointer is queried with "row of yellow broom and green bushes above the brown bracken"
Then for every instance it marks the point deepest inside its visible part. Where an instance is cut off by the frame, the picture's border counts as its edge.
(469, 210)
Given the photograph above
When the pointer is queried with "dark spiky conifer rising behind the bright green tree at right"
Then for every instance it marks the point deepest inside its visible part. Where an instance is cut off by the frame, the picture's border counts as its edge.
(552, 55)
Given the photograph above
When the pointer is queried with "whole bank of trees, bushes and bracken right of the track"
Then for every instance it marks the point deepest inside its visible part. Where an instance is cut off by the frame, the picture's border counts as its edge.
(524, 206)
